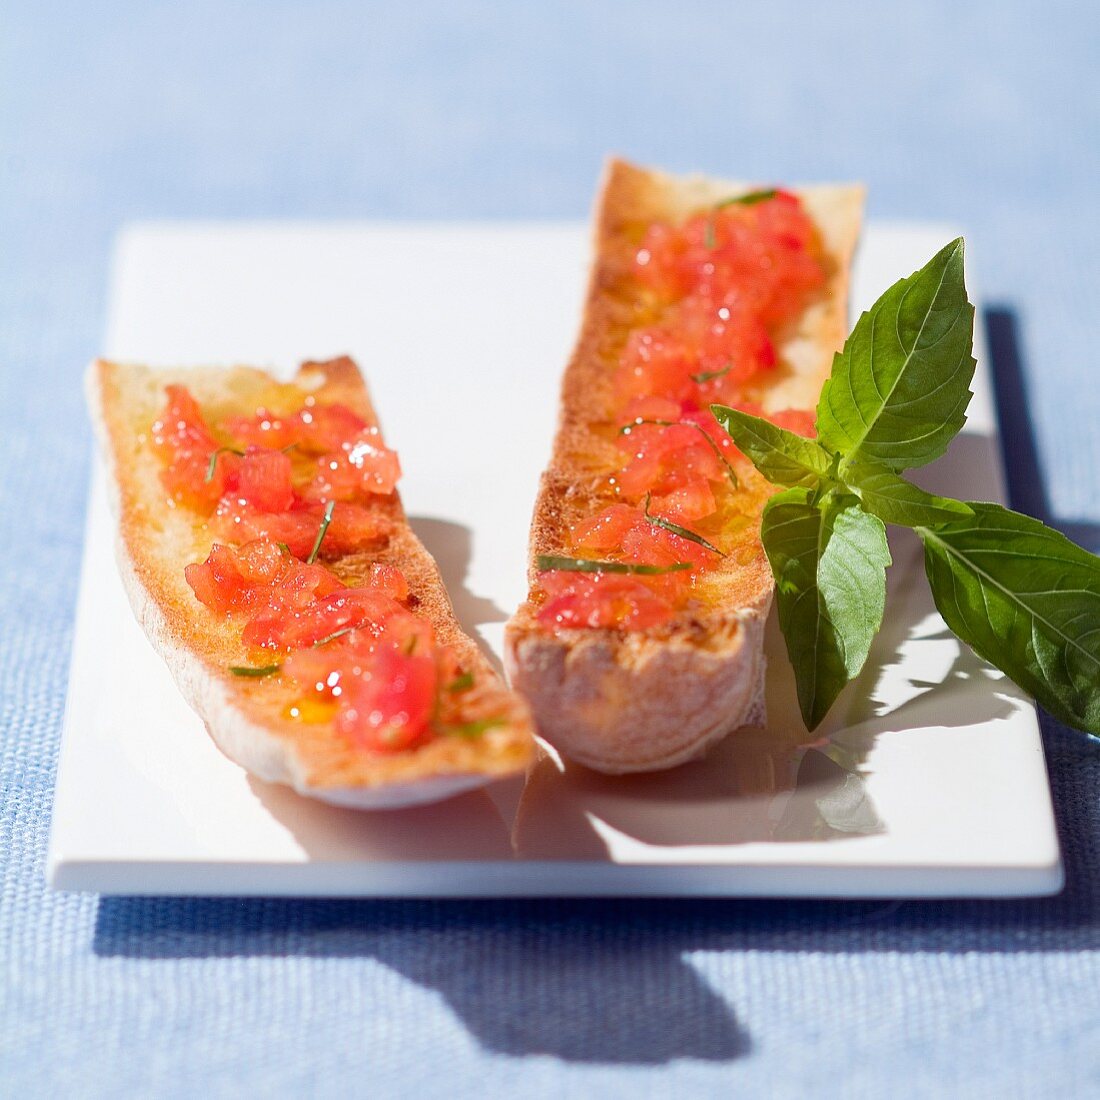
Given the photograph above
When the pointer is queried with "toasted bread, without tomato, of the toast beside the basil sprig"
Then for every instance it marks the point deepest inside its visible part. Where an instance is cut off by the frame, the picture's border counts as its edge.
(643, 701)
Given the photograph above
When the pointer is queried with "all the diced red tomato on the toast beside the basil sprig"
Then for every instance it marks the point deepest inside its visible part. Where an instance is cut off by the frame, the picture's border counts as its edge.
(725, 285)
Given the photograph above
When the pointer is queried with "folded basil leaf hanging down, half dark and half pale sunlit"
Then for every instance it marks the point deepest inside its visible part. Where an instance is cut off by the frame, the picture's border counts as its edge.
(830, 559)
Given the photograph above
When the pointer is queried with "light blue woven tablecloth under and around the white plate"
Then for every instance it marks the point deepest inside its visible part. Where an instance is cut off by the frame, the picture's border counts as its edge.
(985, 114)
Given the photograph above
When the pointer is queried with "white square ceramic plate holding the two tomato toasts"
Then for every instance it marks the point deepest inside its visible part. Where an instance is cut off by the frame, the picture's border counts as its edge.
(929, 779)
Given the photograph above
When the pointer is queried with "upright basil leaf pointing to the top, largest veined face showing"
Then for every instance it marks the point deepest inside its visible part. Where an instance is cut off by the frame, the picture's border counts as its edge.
(900, 387)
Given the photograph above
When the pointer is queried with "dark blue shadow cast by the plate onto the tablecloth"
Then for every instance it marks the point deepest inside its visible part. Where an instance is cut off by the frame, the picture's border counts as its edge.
(612, 982)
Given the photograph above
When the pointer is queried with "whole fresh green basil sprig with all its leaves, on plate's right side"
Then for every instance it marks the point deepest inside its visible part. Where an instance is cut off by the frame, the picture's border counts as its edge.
(1022, 596)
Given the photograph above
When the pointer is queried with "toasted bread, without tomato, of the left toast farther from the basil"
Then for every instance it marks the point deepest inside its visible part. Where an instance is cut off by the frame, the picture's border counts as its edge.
(247, 718)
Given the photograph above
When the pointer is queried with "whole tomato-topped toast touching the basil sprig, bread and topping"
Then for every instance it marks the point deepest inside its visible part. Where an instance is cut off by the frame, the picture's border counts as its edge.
(641, 644)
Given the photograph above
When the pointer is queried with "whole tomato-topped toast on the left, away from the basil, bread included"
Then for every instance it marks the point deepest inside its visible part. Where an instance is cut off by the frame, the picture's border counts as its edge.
(267, 554)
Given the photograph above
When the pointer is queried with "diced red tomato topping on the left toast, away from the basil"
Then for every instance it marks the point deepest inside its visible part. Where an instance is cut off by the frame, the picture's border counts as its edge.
(360, 650)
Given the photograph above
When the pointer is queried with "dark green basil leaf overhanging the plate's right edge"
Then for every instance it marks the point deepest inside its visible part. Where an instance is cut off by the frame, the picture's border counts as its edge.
(1028, 601)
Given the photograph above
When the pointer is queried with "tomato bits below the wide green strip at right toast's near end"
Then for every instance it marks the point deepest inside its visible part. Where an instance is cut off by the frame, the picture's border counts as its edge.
(601, 601)
